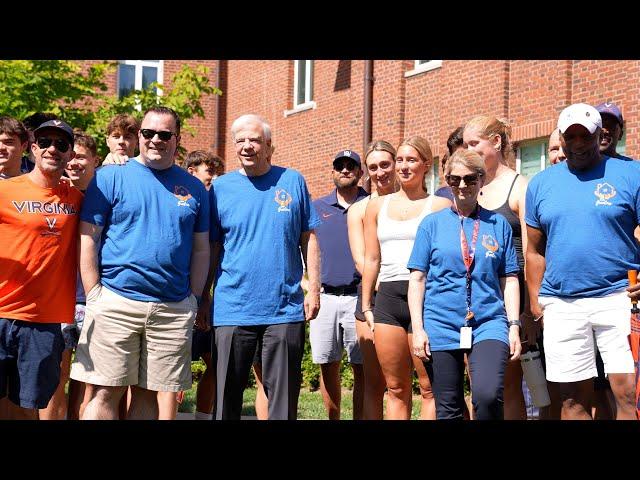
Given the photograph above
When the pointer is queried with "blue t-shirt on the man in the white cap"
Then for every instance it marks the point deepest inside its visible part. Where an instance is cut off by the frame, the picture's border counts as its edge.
(588, 218)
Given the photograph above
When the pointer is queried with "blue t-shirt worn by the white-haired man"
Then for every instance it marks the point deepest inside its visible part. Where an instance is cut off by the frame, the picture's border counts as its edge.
(259, 220)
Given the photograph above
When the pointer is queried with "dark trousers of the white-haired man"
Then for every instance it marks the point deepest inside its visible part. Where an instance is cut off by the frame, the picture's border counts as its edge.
(282, 349)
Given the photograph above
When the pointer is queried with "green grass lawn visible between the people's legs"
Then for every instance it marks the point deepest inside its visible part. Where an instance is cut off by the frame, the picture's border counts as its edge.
(310, 406)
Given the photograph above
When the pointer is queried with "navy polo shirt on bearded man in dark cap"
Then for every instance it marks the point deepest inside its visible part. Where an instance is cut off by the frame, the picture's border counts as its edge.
(337, 264)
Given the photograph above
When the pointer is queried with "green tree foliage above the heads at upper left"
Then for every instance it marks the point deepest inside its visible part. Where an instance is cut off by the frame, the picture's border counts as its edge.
(79, 96)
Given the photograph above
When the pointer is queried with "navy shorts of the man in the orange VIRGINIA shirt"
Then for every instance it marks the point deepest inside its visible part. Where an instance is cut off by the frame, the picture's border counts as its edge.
(30, 355)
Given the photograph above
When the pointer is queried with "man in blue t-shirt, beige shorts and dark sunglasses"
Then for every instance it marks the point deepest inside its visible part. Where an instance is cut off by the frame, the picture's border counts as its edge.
(143, 260)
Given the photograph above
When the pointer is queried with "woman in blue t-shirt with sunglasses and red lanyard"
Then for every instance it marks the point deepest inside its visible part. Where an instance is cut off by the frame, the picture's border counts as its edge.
(467, 257)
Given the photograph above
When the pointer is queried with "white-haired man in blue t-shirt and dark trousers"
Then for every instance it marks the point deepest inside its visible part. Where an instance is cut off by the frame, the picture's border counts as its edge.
(262, 223)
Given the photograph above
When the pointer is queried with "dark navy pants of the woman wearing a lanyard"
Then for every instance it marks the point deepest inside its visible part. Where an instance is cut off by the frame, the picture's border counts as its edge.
(487, 362)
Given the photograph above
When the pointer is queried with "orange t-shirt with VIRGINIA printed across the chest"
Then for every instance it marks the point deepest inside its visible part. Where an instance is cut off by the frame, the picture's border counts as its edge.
(38, 250)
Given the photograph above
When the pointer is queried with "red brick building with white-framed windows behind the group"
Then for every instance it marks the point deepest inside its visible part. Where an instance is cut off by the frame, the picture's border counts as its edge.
(317, 108)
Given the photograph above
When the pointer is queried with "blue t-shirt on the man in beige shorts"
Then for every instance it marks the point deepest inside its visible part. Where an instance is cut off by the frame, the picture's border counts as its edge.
(149, 218)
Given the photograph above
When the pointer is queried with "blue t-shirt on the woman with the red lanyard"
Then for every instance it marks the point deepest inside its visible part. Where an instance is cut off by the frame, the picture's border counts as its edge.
(437, 251)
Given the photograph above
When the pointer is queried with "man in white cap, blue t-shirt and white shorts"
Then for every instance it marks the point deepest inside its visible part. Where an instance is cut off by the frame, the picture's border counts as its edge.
(581, 215)
